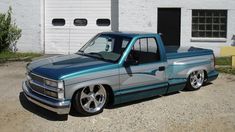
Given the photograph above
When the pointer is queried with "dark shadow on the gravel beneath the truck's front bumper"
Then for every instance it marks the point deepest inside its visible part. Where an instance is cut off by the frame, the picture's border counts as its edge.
(40, 111)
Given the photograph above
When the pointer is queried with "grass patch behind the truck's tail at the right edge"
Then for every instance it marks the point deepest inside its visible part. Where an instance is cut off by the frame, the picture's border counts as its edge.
(223, 65)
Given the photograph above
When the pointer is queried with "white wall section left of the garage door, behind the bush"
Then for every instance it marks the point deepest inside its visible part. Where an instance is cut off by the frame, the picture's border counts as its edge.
(27, 16)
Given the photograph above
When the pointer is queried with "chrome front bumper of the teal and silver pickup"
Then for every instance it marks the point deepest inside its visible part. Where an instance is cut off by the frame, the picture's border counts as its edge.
(58, 106)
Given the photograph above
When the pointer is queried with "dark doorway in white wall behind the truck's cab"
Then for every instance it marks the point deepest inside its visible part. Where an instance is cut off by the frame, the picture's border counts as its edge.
(169, 25)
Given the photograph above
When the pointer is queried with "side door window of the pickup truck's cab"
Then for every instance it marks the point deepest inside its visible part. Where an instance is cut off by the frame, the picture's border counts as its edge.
(145, 50)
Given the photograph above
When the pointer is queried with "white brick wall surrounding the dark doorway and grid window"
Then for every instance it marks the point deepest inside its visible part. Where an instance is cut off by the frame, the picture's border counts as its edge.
(141, 15)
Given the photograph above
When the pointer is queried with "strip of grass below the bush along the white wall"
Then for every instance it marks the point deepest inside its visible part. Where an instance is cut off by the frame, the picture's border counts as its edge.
(10, 56)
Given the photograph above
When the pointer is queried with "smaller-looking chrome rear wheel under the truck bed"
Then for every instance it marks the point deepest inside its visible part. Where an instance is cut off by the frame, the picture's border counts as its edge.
(197, 79)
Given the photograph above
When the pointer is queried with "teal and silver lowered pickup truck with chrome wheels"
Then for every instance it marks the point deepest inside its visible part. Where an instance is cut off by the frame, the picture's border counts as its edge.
(113, 68)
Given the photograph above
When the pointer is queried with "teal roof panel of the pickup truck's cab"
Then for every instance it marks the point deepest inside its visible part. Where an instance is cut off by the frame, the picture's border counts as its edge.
(129, 33)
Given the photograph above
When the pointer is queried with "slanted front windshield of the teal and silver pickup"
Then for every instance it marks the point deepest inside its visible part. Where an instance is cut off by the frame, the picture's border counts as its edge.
(106, 47)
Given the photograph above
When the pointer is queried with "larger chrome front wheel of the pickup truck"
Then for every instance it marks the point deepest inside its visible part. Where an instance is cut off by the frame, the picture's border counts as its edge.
(93, 98)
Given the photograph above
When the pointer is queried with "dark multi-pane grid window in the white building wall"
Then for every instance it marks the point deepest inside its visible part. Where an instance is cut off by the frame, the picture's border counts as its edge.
(209, 23)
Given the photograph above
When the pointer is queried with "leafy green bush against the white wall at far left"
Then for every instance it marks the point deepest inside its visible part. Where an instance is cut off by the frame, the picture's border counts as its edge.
(9, 32)
